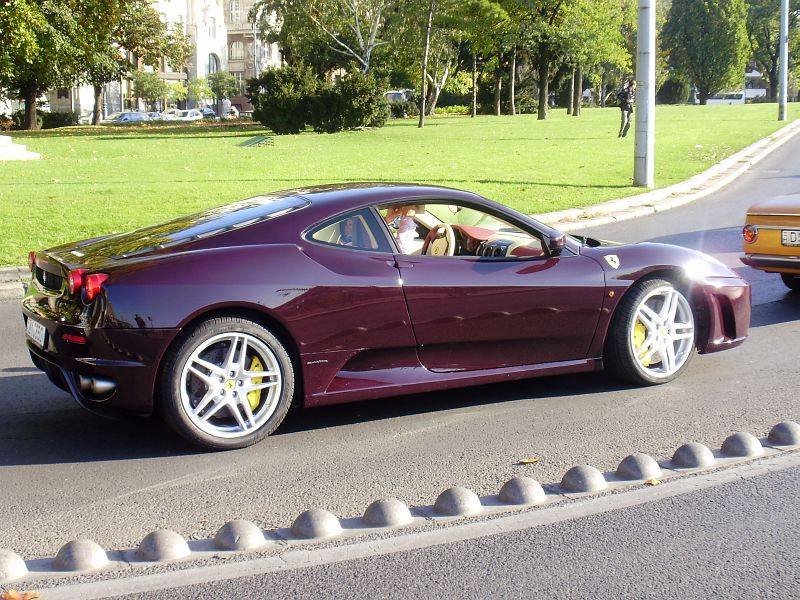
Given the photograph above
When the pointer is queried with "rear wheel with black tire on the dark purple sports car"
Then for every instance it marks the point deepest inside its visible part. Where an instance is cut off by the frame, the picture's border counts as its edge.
(180, 387)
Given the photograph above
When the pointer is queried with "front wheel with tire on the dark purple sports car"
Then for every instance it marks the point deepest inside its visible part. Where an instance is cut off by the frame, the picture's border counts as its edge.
(652, 336)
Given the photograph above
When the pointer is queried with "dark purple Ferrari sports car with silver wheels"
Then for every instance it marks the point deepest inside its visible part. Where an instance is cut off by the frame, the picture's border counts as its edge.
(222, 319)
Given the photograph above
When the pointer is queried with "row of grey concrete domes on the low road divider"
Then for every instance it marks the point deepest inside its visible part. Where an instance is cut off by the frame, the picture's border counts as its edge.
(454, 505)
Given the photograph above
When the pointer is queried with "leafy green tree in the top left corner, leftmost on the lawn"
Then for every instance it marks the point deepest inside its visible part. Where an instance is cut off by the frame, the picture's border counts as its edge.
(48, 56)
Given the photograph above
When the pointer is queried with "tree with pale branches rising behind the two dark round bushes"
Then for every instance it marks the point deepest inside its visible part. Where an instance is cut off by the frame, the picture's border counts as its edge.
(352, 29)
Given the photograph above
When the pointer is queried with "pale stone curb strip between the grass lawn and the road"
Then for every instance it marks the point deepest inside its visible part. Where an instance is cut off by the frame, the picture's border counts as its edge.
(576, 219)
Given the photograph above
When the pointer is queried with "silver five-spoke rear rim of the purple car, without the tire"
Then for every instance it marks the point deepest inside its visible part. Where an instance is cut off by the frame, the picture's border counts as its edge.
(221, 377)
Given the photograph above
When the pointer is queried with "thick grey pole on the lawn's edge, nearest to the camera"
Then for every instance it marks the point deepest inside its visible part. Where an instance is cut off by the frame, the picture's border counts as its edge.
(644, 160)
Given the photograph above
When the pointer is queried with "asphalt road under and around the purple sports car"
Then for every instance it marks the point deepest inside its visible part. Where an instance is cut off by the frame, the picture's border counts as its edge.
(66, 474)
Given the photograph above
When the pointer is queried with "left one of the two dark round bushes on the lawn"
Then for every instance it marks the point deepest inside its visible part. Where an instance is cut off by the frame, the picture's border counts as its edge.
(281, 98)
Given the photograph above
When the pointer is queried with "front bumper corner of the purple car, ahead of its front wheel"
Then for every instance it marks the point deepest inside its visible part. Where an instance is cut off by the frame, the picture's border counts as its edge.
(726, 317)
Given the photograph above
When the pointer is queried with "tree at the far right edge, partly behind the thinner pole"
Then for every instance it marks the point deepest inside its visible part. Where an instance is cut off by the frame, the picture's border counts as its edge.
(763, 32)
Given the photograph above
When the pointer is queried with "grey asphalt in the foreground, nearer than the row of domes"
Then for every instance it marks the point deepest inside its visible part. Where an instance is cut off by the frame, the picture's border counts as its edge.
(737, 540)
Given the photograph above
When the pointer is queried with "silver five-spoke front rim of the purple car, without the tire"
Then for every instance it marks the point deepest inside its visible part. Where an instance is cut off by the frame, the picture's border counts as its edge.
(661, 332)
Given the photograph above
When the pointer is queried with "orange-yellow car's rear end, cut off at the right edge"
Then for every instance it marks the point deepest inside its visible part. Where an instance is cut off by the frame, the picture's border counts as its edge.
(772, 238)
